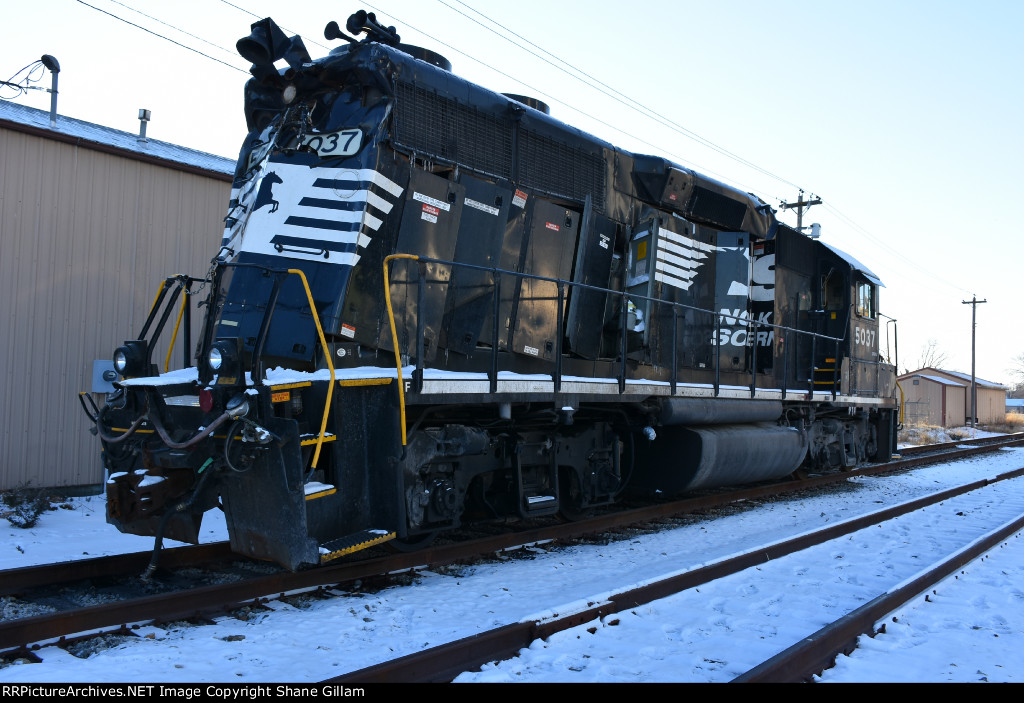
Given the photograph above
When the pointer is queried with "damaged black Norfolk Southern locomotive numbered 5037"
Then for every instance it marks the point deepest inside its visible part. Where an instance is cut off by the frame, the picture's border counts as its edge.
(435, 305)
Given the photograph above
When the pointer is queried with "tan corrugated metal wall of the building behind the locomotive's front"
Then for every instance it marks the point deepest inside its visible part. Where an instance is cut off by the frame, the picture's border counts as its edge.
(86, 239)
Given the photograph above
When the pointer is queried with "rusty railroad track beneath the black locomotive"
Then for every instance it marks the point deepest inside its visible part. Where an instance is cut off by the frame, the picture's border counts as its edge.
(19, 638)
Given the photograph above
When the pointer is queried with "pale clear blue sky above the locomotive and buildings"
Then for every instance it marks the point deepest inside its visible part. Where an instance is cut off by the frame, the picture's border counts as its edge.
(906, 118)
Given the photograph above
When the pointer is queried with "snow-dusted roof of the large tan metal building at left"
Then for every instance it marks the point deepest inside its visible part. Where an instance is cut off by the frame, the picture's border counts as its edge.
(70, 129)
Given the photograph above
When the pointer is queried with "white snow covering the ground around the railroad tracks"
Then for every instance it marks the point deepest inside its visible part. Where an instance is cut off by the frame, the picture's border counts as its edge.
(972, 631)
